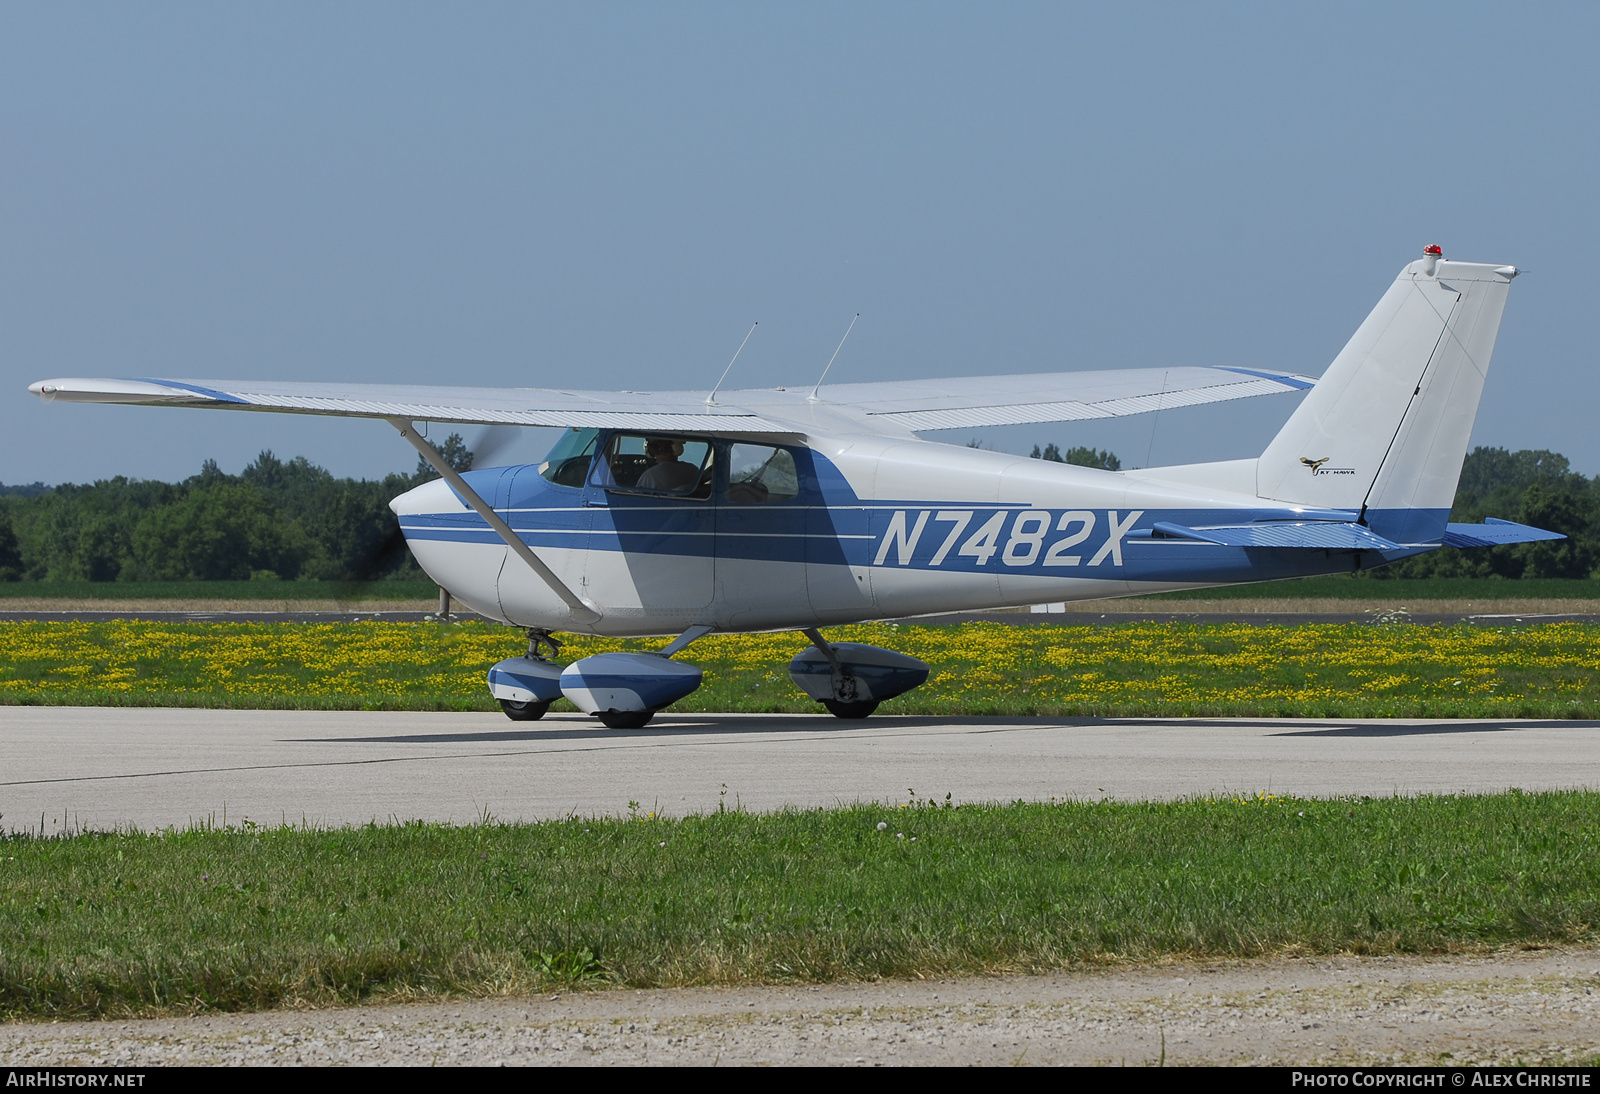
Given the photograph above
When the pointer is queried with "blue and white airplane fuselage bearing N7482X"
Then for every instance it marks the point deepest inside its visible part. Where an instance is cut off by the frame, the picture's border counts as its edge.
(862, 527)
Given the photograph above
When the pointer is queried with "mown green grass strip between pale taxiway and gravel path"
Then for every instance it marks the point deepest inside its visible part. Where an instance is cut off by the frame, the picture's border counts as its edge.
(242, 919)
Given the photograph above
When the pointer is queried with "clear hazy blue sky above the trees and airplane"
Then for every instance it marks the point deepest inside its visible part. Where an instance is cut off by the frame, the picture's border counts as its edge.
(612, 194)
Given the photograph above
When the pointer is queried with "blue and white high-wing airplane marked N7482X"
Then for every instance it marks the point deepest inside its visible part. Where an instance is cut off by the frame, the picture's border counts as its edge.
(790, 509)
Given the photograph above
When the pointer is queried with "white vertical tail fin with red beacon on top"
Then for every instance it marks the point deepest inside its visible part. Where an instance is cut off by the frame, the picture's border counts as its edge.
(1386, 428)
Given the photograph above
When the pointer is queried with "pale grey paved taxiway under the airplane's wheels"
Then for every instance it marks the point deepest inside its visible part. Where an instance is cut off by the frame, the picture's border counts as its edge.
(105, 767)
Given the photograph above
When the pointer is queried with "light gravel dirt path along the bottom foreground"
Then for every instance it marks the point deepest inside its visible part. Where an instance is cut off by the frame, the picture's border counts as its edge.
(1508, 1008)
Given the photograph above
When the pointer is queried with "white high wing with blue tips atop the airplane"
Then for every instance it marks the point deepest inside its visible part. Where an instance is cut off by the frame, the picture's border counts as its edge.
(895, 407)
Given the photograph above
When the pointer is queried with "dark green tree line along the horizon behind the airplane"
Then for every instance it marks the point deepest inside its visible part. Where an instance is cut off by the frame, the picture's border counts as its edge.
(292, 519)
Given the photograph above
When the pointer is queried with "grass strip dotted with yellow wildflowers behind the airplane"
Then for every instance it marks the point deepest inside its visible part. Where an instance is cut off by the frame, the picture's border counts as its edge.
(978, 669)
